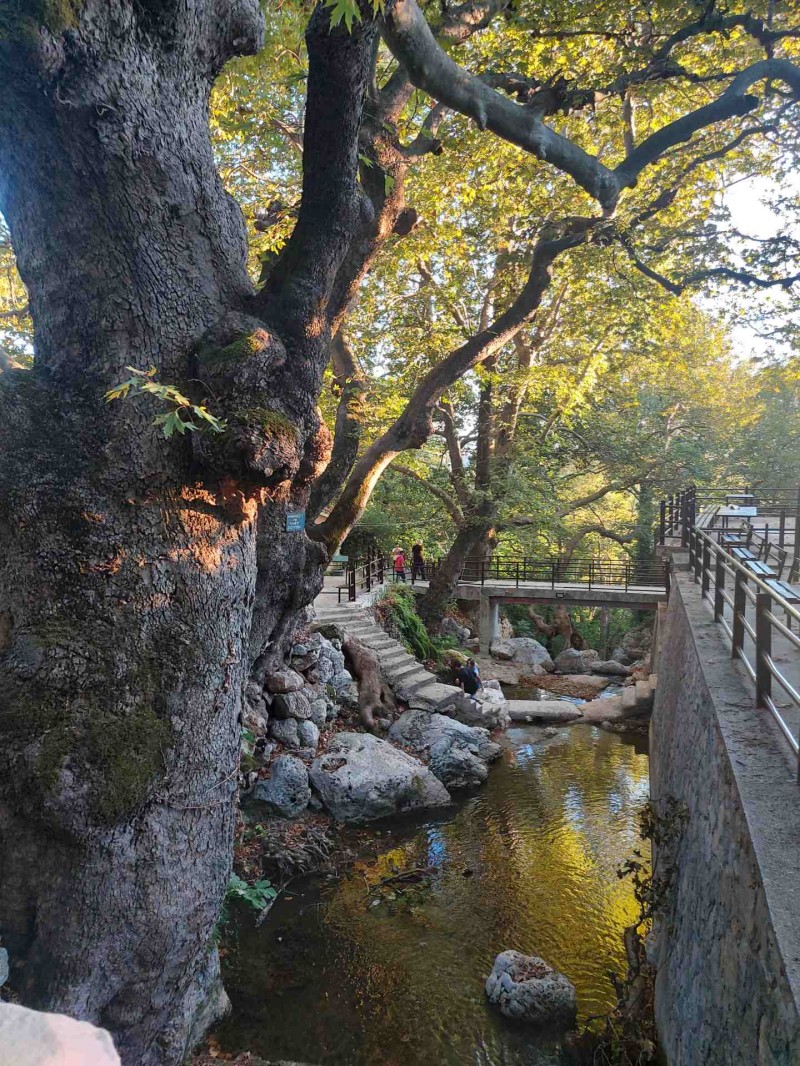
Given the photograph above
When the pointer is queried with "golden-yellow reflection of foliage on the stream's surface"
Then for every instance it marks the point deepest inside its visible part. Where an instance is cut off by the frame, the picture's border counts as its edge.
(541, 846)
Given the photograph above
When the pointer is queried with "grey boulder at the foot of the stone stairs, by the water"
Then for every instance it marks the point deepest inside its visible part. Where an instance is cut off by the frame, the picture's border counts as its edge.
(459, 755)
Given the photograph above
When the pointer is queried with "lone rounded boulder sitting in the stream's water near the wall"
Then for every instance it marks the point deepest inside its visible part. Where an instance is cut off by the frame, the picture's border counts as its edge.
(524, 988)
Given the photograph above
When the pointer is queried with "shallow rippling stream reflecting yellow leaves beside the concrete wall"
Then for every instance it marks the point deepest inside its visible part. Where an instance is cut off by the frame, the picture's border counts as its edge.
(360, 974)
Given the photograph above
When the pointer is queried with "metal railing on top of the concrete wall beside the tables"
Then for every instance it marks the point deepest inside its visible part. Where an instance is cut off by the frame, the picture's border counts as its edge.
(729, 584)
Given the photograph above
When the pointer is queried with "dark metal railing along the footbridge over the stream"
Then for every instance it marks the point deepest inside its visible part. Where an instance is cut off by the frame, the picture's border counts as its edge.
(590, 573)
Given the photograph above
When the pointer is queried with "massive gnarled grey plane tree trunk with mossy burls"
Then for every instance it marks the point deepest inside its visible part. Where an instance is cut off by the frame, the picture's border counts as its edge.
(130, 564)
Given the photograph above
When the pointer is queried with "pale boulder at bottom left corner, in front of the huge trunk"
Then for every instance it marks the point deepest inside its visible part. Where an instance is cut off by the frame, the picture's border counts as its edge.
(35, 1038)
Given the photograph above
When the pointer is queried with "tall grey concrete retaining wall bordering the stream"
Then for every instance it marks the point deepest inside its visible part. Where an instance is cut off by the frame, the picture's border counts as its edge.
(728, 945)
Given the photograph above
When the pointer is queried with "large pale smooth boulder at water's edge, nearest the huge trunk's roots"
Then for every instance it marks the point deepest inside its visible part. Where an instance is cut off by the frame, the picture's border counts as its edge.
(362, 779)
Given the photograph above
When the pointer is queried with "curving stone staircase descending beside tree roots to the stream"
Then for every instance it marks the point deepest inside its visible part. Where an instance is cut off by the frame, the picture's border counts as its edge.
(408, 679)
